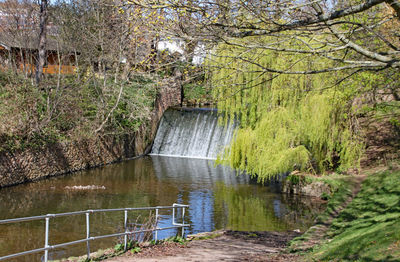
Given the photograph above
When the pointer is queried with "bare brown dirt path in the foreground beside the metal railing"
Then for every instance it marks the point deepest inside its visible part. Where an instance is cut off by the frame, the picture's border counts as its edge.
(227, 246)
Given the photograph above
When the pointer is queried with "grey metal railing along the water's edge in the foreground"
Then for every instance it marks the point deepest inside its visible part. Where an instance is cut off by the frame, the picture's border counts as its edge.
(89, 238)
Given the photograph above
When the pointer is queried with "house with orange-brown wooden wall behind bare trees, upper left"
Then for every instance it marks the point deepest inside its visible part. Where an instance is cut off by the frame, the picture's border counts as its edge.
(19, 42)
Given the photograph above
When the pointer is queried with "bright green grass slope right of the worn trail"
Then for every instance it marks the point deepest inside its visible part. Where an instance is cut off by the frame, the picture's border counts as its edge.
(368, 229)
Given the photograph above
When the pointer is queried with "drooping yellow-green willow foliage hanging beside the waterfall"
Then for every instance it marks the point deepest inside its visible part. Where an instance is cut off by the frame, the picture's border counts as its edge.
(287, 122)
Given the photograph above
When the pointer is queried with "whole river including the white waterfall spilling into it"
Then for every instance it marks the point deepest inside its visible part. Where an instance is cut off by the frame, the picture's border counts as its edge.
(217, 197)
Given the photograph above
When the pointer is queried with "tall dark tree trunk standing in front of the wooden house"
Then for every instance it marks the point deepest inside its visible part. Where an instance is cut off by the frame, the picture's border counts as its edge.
(42, 41)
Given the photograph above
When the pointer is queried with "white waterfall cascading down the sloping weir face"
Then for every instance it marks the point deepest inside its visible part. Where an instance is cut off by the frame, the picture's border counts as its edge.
(192, 133)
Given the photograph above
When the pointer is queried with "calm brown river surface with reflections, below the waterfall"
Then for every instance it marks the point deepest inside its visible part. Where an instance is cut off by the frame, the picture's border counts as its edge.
(218, 198)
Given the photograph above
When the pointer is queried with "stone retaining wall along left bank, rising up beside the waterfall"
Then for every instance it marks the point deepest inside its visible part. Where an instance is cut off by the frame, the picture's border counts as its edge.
(61, 158)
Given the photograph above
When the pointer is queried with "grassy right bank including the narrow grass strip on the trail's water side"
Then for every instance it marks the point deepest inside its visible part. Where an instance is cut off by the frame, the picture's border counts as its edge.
(367, 229)
